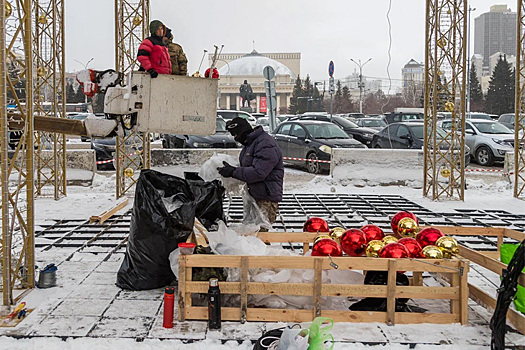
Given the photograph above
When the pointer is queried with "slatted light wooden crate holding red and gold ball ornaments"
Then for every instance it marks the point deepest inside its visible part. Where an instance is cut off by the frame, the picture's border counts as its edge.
(456, 292)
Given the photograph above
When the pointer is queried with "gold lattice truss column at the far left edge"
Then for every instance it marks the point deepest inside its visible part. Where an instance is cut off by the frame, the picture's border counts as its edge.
(17, 242)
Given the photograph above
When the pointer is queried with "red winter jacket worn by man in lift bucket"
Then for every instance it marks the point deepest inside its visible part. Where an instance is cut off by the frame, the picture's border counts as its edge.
(154, 54)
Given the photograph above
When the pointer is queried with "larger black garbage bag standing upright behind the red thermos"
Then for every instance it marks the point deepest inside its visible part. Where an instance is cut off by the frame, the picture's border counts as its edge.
(163, 216)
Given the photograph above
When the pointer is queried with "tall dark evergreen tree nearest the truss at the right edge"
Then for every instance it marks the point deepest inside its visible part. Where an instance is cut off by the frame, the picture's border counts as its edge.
(500, 97)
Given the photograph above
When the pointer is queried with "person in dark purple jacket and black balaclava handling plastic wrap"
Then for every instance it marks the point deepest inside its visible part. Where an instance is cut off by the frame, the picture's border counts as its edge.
(261, 166)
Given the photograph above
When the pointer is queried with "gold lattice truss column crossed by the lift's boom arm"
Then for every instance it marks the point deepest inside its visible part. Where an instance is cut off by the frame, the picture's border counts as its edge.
(49, 88)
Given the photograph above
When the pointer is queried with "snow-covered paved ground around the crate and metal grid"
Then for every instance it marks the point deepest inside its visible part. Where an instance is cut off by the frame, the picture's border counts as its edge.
(86, 310)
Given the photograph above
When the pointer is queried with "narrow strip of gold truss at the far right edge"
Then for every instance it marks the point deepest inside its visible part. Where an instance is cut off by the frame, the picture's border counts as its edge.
(519, 125)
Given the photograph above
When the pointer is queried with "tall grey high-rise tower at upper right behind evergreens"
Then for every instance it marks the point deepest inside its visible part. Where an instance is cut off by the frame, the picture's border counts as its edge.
(495, 31)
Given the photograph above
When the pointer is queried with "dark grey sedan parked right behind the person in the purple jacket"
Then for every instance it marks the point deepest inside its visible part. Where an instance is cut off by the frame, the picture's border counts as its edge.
(313, 140)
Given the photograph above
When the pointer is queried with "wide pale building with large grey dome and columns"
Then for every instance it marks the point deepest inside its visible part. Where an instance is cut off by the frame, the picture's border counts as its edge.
(235, 68)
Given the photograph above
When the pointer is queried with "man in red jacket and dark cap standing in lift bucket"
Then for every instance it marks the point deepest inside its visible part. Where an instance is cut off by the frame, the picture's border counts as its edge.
(153, 54)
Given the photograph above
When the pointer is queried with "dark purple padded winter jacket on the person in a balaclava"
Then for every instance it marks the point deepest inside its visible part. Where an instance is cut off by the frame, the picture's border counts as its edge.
(261, 166)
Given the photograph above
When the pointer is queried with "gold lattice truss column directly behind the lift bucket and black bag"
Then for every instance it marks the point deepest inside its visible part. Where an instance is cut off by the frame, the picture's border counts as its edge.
(132, 150)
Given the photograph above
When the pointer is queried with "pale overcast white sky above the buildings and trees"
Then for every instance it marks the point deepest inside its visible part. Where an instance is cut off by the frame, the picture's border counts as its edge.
(320, 30)
